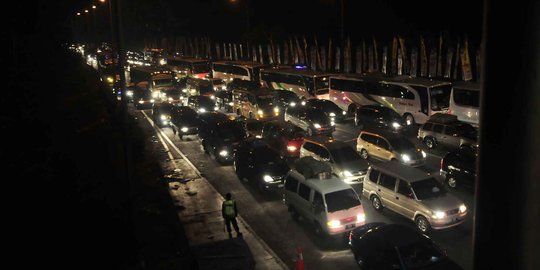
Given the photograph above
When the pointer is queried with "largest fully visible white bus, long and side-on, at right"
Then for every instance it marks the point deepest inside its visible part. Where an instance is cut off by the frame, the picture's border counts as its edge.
(414, 98)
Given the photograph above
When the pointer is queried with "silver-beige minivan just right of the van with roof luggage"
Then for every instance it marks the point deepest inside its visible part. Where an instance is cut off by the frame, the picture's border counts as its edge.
(414, 194)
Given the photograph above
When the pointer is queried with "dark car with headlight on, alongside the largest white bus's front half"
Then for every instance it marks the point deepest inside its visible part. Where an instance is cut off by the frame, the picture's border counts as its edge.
(379, 117)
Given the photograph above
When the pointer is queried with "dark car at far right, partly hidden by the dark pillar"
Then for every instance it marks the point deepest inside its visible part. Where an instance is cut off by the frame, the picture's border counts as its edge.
(458, 168)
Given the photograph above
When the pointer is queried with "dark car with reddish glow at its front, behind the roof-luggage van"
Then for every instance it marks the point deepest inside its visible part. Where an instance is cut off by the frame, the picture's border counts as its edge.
(283, 137)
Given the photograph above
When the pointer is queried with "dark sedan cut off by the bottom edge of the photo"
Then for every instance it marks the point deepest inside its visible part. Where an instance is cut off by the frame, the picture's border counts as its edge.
(396, 246)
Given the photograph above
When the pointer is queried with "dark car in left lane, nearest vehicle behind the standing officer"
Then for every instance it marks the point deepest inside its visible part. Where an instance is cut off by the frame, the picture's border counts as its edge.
(256, 162)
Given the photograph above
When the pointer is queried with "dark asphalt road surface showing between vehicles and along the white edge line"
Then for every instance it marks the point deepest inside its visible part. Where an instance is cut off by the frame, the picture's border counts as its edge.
(268, 216)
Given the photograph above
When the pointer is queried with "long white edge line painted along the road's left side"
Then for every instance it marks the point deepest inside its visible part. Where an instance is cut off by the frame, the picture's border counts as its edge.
(259, 239)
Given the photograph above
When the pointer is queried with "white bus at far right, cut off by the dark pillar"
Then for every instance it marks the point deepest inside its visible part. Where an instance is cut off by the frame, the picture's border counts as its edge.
(465, 102)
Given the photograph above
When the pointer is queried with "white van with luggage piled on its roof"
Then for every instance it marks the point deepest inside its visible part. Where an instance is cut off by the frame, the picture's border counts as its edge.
(322, 199)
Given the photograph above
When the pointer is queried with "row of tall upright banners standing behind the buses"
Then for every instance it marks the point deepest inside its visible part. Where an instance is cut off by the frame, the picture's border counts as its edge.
(443, 57)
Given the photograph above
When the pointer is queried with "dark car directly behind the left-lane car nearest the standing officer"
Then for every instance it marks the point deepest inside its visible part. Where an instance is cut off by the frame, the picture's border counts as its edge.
(220, 135)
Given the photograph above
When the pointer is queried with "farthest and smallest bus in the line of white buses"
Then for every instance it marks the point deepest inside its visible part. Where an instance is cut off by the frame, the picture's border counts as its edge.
(189, 67)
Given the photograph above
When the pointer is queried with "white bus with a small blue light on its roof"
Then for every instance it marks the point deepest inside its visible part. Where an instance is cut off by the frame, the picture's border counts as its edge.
(304, 83)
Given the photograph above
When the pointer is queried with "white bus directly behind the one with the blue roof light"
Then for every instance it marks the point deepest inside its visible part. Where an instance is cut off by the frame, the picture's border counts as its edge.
(244, 70)
